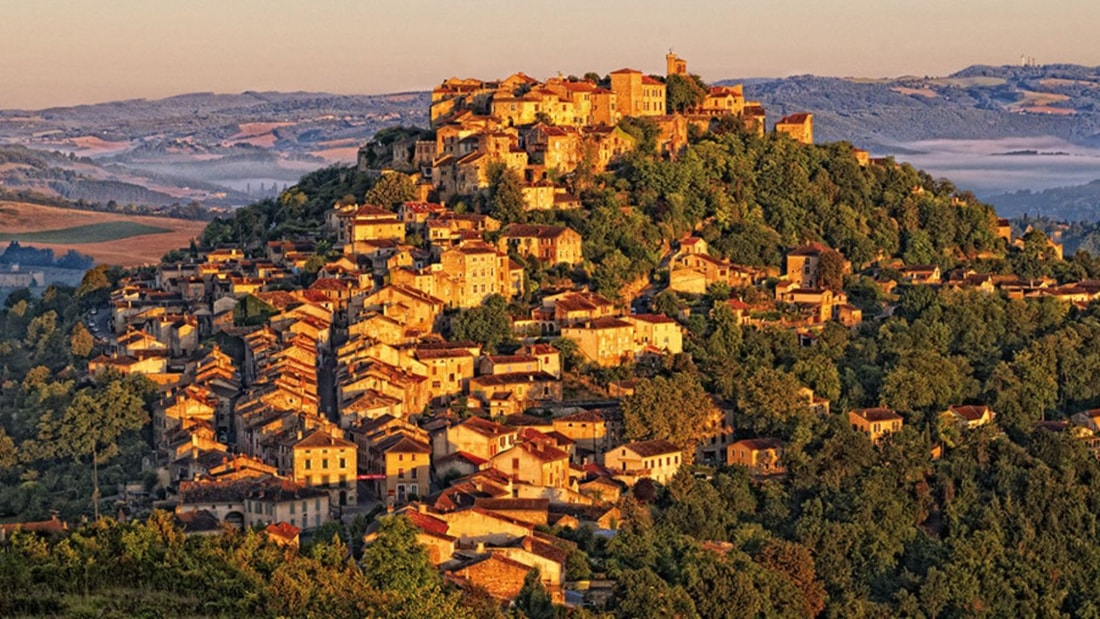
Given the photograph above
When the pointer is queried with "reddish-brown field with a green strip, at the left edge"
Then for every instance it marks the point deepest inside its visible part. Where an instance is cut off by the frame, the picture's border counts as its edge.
(108, 238)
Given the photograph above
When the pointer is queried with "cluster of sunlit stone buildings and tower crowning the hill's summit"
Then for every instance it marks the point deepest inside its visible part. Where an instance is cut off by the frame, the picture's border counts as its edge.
(547, 130)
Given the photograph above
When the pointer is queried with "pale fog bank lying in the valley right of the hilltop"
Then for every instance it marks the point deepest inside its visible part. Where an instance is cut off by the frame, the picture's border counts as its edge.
(987, 168)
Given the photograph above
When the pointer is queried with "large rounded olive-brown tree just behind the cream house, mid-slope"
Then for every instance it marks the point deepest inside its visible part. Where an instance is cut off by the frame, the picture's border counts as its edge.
(676, 410)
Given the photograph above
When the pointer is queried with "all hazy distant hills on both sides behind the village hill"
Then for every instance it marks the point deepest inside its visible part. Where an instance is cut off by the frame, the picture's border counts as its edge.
(230, 150)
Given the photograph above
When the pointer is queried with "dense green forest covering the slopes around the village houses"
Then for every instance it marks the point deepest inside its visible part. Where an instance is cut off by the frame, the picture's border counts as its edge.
(1005, 524)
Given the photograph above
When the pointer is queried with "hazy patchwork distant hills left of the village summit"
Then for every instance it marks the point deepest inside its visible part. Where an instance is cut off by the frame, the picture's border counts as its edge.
(221, 150)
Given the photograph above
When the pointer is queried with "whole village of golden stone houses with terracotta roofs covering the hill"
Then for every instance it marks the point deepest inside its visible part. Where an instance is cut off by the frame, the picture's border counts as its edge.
(423, 358)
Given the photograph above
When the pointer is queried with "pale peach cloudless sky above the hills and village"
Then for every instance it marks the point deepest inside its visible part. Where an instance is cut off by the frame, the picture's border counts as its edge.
(71, 52)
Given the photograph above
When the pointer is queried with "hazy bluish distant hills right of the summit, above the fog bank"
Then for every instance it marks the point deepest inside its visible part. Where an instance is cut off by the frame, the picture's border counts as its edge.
(977, 103)
